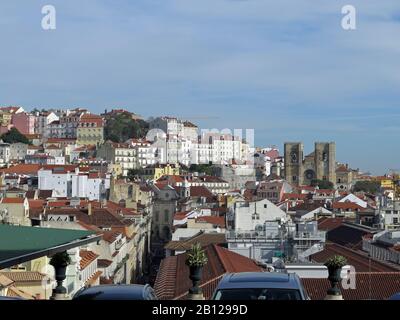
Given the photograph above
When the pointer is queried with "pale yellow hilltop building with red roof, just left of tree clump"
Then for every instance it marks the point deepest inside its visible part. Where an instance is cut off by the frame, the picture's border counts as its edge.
(90, 130)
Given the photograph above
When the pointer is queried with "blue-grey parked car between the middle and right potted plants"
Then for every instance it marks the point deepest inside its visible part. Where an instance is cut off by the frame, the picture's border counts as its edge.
(260, 286)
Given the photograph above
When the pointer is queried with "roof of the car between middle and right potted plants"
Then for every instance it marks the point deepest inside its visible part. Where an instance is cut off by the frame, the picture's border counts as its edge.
(260, 280)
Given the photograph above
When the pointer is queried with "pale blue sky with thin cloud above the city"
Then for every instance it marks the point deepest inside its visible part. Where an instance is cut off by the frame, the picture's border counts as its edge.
(286, 69)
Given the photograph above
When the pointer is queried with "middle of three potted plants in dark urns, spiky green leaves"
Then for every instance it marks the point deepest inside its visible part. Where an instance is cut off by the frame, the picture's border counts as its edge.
(196, 260)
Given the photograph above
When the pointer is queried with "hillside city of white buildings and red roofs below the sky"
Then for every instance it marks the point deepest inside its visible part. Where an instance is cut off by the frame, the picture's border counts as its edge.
(124, 200)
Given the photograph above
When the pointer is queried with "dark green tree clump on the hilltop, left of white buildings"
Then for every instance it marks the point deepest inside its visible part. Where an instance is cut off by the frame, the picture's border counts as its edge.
(122, 127)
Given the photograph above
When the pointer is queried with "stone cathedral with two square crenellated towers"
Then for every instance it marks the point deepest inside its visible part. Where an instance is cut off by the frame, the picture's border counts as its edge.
(320, 164)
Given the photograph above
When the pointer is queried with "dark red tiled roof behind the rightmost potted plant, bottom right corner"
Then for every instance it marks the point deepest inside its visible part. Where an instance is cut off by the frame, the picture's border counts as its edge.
(369, 286)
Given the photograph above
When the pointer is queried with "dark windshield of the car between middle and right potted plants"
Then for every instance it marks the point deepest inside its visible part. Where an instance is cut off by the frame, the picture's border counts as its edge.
(258, 294)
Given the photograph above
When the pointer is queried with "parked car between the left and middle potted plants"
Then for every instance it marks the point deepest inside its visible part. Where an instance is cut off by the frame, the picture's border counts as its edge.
(117, 292)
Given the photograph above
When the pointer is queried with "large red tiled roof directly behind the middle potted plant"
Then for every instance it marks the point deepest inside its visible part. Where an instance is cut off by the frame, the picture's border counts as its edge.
(173, 278)
